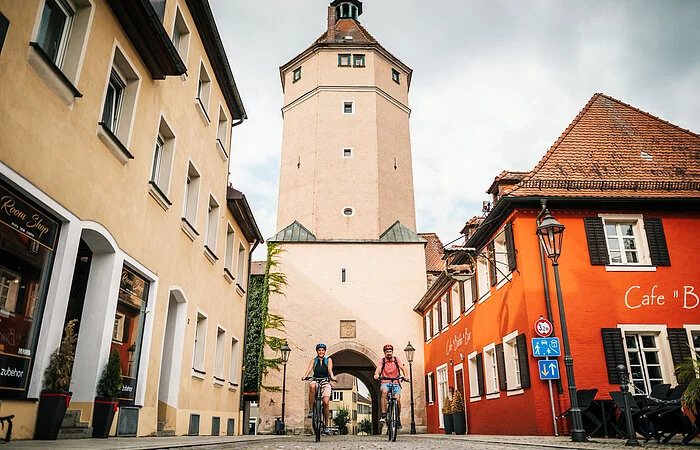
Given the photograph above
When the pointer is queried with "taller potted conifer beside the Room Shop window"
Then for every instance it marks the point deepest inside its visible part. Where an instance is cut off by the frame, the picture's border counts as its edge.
(55, 397)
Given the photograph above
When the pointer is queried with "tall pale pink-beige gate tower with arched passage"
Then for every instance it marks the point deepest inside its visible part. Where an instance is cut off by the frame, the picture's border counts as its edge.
(346, 214)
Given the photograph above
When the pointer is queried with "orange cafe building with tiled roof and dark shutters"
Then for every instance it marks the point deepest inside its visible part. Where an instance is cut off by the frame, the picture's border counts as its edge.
(626, 185)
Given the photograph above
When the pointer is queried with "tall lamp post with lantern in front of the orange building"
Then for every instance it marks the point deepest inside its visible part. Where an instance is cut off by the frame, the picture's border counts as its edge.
(550, 233)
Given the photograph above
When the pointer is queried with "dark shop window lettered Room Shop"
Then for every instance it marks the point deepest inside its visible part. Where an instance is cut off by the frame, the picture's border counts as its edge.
(26, 256)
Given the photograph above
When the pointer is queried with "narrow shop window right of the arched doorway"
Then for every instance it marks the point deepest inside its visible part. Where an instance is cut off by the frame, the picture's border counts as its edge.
(127, 334)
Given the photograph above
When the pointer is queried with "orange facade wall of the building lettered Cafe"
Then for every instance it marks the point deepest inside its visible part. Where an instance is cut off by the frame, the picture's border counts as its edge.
(594, 298)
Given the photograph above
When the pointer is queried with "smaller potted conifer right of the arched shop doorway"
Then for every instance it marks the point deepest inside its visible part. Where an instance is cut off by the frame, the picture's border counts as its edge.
(108, 391)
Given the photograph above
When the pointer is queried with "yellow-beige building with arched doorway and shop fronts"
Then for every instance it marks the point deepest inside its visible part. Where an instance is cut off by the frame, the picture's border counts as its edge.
(115, 210)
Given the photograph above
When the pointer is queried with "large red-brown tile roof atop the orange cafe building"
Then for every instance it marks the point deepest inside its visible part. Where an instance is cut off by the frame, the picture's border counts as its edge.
(612, 149)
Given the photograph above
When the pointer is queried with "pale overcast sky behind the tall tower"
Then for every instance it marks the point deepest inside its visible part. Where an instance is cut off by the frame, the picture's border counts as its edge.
(494, 84)
